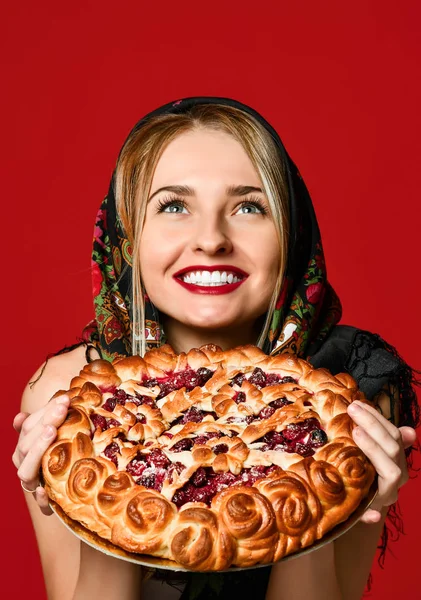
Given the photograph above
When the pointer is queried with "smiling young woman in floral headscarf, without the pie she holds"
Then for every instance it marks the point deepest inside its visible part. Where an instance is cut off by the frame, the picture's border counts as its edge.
(204, 196)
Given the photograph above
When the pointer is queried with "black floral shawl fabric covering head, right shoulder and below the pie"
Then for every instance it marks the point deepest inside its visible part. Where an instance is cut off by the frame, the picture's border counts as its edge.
(307, 301)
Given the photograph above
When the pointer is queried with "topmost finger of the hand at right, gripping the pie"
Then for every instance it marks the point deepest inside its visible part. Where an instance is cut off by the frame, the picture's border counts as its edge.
(378, 431)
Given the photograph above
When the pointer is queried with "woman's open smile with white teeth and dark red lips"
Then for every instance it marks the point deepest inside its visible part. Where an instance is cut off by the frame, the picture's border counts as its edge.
(218, 279)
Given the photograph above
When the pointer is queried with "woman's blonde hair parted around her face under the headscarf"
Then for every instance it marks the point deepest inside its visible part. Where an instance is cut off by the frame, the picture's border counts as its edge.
(136, 166)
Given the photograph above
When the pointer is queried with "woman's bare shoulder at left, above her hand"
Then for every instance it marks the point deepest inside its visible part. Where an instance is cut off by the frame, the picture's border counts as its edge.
(52, 376)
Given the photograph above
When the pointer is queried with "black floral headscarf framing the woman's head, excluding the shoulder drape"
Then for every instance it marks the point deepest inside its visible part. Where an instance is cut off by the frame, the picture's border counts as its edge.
(307, 308)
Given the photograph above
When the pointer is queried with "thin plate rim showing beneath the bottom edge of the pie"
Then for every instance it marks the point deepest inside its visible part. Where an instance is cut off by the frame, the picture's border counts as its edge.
(103, 545)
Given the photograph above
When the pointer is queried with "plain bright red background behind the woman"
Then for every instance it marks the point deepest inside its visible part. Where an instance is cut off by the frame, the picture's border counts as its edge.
(339, 81)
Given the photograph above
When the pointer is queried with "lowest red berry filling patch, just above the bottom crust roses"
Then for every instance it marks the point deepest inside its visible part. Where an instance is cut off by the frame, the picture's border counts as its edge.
(205, 483)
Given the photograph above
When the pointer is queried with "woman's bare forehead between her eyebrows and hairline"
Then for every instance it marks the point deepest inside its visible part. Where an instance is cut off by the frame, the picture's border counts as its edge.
(205, 154)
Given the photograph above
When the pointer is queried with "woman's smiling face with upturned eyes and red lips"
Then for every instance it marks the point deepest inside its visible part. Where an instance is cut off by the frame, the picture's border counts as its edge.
(209, 251)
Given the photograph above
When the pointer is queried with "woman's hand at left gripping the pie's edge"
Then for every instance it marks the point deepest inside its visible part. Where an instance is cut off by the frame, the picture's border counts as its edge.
(37, 431)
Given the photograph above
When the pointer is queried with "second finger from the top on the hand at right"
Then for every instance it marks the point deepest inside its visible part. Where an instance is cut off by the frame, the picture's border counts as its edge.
(391, 476)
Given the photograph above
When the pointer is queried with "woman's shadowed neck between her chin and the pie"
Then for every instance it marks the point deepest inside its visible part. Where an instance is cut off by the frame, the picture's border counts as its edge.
(182, 337)
